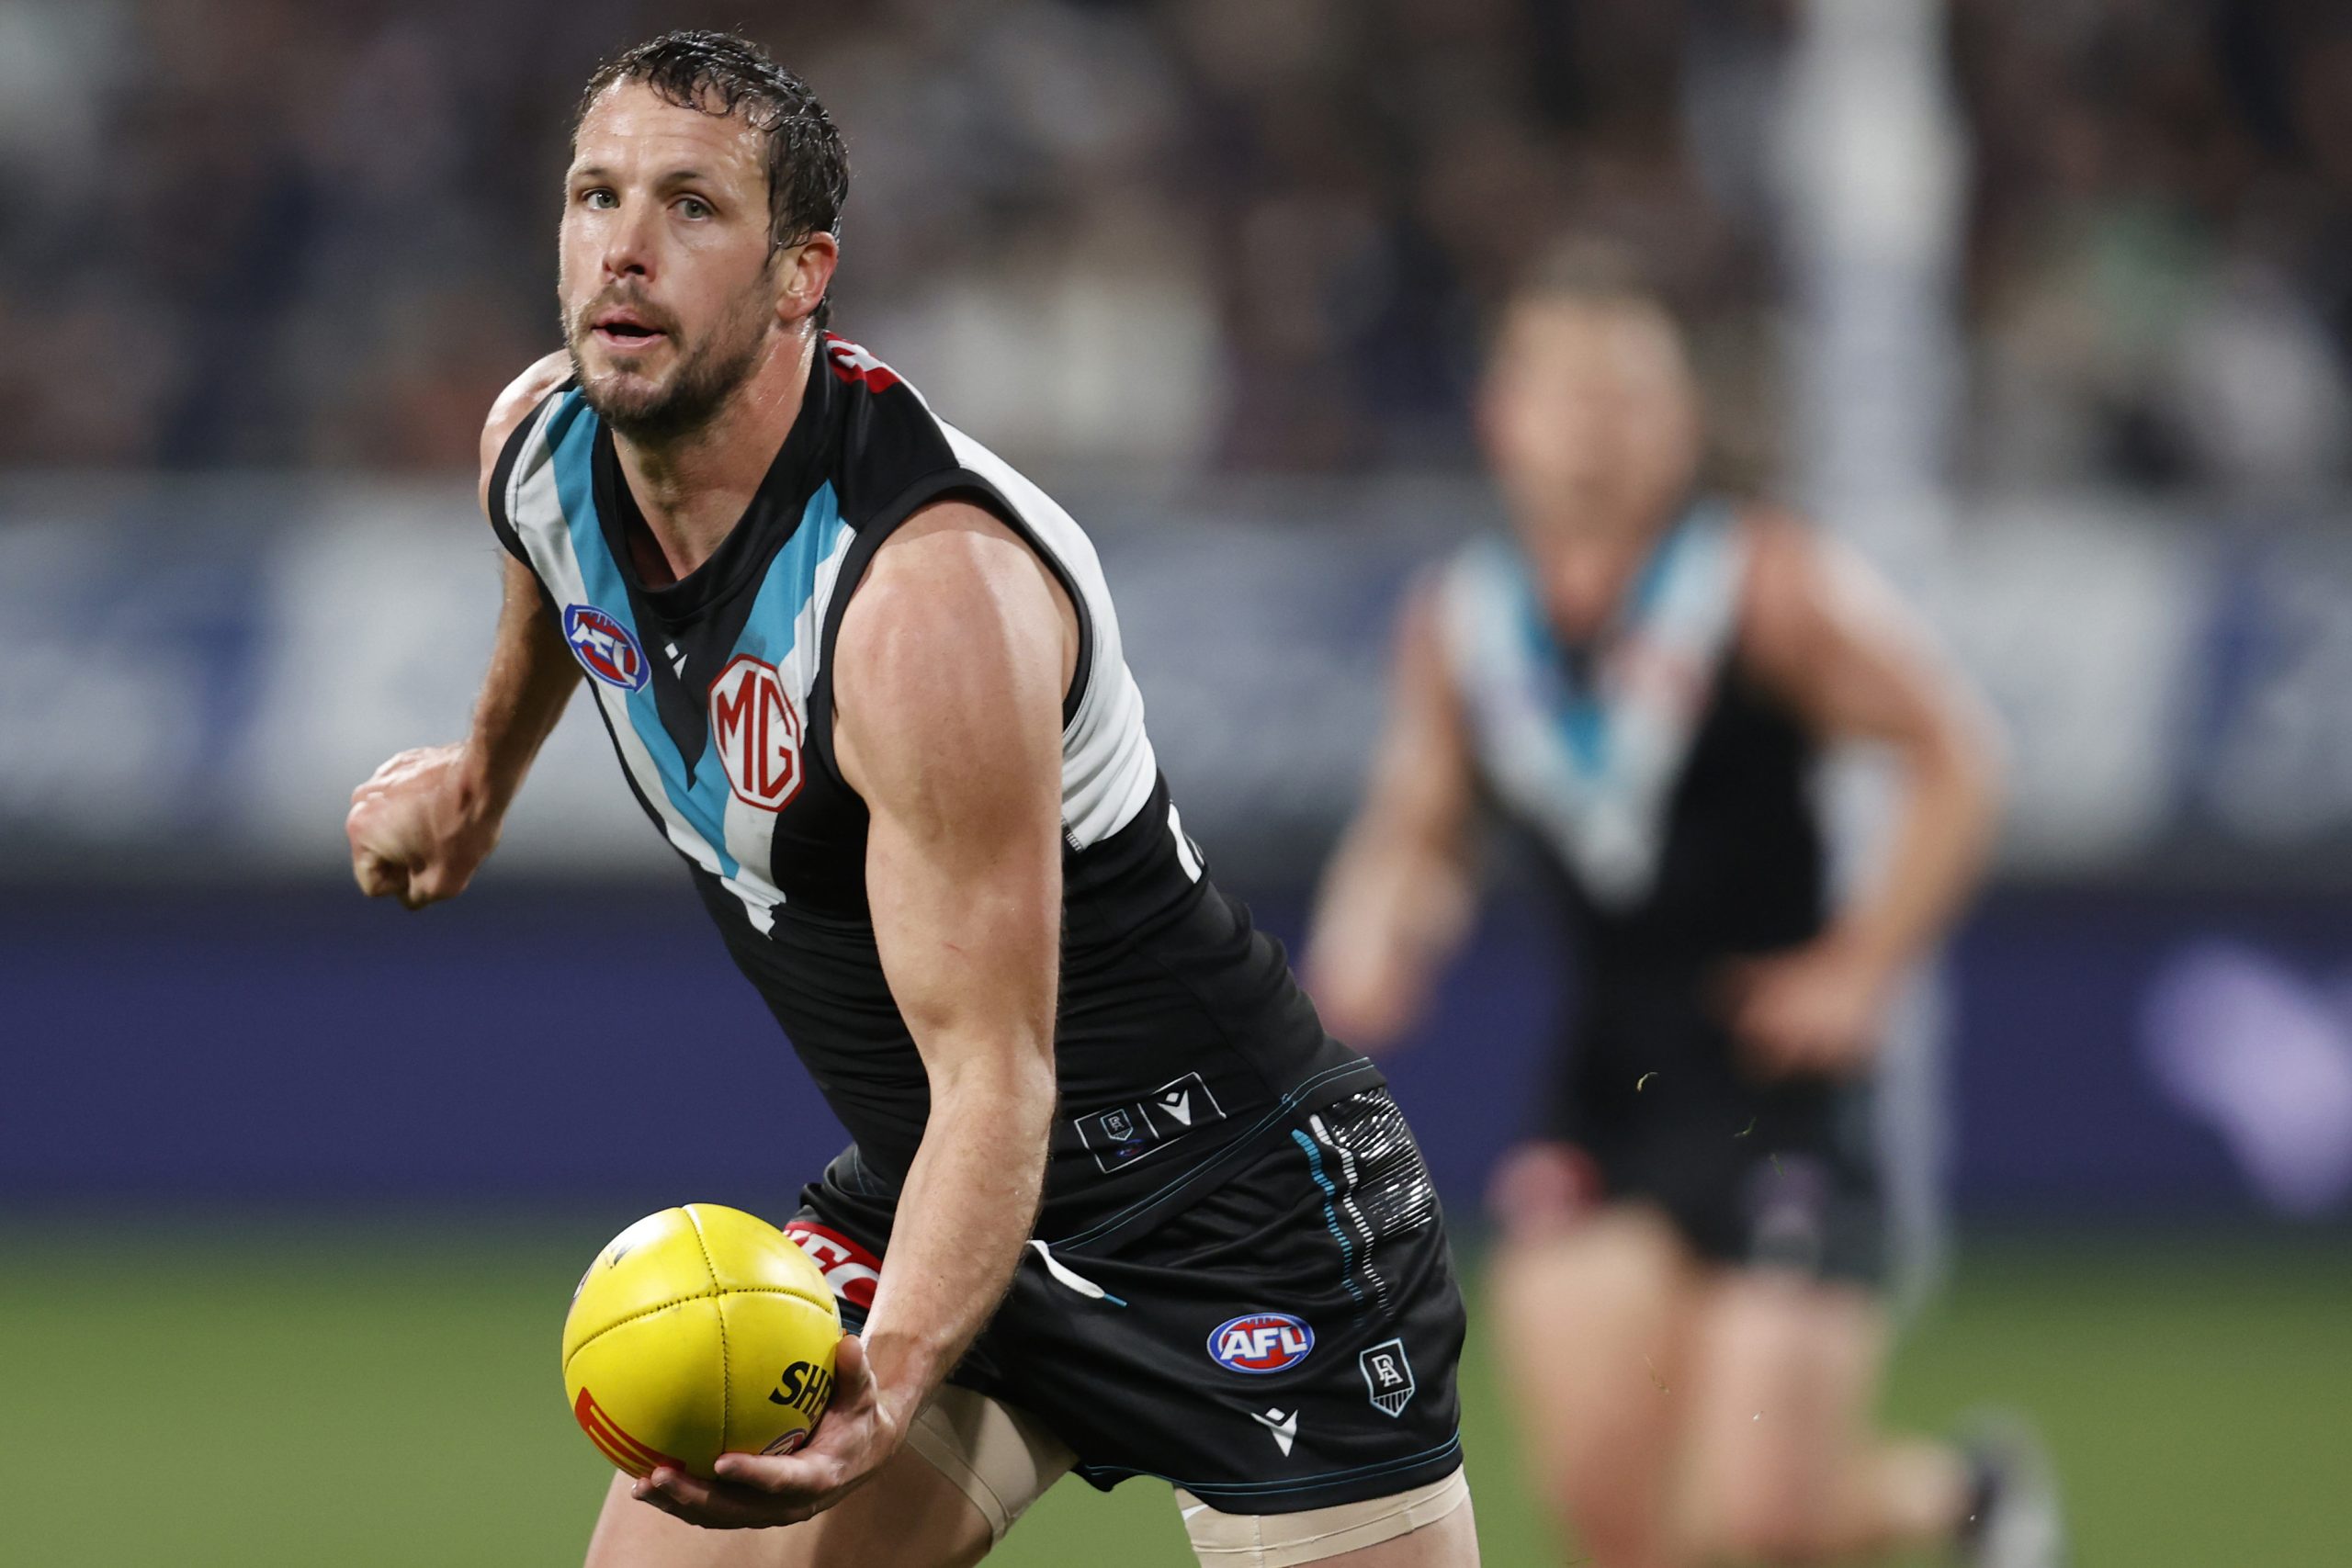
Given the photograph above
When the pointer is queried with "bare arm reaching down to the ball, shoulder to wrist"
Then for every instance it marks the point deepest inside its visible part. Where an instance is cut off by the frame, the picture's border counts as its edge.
(949, 676)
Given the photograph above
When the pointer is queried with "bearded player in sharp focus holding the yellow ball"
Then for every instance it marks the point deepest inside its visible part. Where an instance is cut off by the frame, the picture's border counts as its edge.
(1114, 1202)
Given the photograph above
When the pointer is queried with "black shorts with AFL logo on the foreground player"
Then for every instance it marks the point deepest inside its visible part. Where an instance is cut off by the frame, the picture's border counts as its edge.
(1281, 1343)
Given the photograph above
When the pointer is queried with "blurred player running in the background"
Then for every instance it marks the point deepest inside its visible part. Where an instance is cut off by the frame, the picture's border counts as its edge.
(1641, 685)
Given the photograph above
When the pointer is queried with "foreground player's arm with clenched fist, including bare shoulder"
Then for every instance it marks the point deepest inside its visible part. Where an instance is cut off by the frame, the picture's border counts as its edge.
(429, 817)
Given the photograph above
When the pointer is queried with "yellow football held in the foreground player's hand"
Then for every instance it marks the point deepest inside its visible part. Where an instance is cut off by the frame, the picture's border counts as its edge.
(700, 1332)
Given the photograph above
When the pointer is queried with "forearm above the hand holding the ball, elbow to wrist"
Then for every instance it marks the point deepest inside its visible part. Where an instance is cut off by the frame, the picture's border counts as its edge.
(965, 1214)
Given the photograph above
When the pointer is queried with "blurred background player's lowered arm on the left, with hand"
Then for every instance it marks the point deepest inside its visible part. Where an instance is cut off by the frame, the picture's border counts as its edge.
(1398, 894)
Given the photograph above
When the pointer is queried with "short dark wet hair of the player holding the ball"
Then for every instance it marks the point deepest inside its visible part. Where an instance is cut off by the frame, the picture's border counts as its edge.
(723, 74)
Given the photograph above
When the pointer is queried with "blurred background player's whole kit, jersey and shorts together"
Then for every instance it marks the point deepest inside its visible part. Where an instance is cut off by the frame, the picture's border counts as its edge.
(1671, 798)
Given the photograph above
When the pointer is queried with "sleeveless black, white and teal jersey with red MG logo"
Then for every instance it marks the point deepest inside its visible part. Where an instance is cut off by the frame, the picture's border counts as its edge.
(1182, 1033)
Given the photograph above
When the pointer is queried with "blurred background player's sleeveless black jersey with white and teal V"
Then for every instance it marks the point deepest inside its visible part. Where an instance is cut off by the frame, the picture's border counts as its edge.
(1669, 793)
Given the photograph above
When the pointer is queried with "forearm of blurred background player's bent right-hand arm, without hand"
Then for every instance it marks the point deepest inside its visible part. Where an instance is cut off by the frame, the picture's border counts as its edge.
(1939, 852)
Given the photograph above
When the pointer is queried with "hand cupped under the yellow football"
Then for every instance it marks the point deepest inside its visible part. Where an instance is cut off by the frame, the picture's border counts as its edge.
(759, 1492)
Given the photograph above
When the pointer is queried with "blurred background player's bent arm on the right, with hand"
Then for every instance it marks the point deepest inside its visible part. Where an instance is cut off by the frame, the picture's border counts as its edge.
(1857, 664)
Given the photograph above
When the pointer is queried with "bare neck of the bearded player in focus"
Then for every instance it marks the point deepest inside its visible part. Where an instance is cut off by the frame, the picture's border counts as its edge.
(693, 490)
